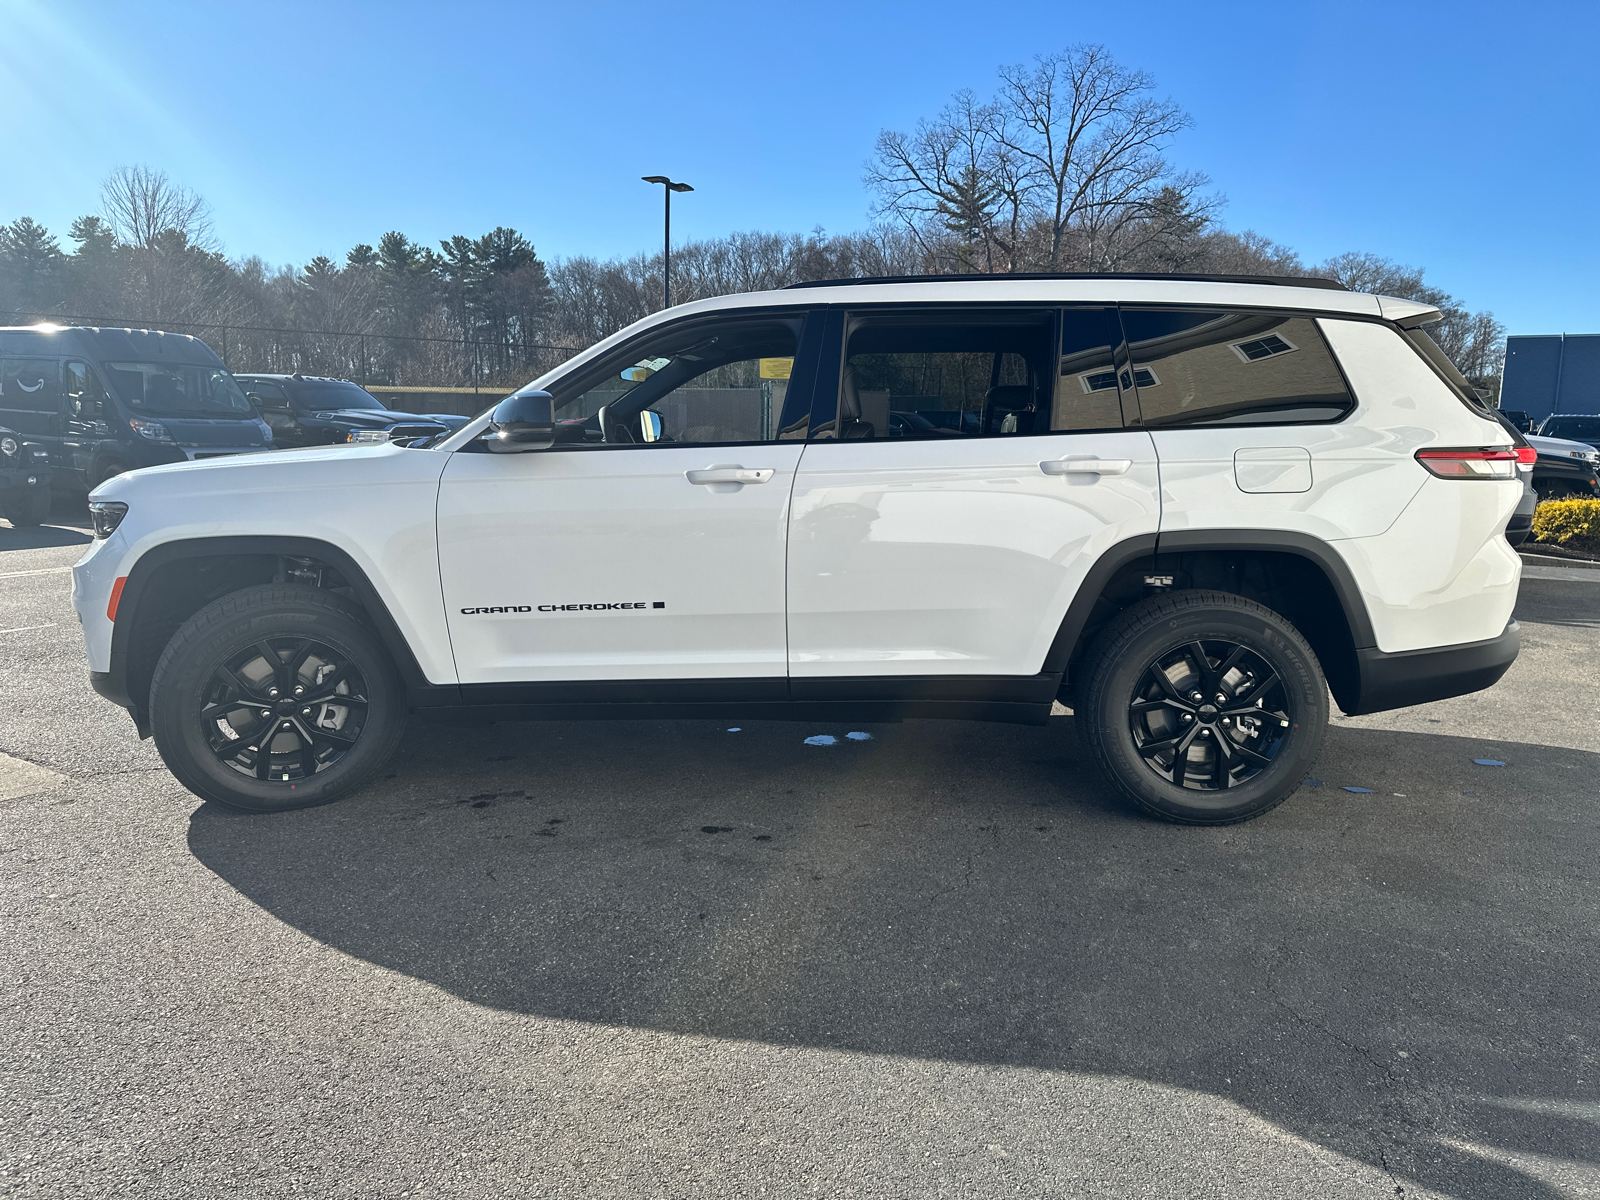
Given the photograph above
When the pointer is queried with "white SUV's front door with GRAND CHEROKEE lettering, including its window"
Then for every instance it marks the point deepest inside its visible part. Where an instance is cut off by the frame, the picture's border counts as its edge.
(649, 543)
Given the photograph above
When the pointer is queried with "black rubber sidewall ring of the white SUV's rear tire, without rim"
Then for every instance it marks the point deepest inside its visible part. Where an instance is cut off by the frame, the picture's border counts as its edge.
(1281, 647)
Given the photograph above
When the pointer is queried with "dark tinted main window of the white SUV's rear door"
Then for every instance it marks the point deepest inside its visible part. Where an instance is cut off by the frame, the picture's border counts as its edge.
(938, 375)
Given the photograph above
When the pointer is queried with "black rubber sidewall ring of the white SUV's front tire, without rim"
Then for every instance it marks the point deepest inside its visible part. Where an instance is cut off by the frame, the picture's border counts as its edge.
(175, 711)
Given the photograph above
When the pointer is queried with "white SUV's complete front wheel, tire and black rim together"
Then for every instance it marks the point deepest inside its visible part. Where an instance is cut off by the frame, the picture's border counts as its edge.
(212, 697)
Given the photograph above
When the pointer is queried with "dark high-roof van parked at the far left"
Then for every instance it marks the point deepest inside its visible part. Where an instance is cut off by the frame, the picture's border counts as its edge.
(108, 401)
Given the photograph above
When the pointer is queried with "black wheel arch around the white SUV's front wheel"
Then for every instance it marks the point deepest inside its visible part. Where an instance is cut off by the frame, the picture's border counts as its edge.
(174, 582)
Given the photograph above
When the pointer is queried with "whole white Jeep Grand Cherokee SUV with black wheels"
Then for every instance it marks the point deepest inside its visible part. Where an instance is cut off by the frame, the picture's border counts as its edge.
(1186, 506)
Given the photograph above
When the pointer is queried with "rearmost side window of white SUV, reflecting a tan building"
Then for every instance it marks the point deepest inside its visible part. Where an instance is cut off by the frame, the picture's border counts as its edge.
(1233, 369)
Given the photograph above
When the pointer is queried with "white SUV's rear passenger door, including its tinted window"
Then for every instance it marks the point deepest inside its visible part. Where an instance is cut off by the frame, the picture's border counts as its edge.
(977, 468)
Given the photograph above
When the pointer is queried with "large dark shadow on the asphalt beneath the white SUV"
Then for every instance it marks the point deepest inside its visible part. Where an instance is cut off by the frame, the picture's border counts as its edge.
(1401, 974)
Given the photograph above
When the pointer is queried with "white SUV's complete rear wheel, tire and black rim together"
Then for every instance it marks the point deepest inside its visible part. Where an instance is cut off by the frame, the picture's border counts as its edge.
(1239, 759)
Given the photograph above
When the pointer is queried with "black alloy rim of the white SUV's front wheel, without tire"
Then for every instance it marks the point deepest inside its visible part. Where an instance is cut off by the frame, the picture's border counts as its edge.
(284, 710)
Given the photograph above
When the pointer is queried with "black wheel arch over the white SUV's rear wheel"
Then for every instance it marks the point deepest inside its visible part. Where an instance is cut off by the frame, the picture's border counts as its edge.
(1300, 577)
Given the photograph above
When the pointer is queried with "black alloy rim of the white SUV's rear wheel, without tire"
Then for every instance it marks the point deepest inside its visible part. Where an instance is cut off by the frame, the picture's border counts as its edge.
(1210, 716)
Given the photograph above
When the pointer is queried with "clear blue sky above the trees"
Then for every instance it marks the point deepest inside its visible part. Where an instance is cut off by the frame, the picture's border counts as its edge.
(1465, 138)
